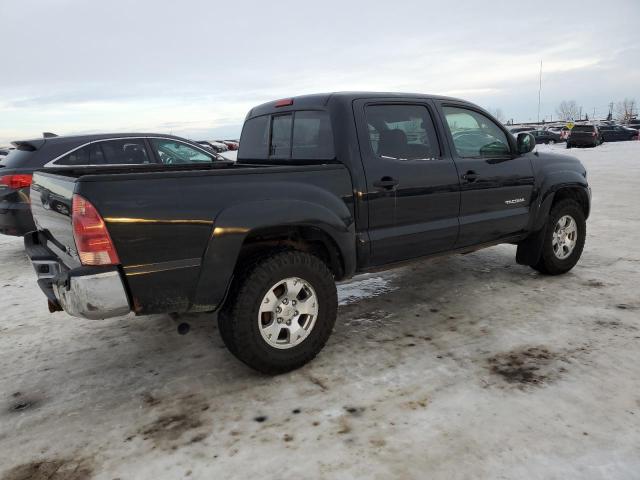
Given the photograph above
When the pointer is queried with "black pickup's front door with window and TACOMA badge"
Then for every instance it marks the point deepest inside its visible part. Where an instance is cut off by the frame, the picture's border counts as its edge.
(496, 184)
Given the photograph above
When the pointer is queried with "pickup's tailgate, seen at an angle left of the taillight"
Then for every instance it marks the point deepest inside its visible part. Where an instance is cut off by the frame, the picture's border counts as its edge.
(51, 198)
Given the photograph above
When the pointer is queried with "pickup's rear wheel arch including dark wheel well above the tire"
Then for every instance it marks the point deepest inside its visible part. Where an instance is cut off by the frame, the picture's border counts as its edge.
(244, 231)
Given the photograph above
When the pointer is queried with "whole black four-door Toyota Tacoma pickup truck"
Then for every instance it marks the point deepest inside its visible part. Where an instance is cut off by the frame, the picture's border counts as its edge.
(325, 186)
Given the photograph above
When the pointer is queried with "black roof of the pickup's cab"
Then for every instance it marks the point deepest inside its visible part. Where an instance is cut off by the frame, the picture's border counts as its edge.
(321, 100)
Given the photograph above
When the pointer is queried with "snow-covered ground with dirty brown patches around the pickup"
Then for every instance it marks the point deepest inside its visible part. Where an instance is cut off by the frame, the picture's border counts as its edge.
(461, 367)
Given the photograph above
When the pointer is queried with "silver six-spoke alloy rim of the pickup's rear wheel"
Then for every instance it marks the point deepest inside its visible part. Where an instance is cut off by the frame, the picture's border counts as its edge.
(288, 313)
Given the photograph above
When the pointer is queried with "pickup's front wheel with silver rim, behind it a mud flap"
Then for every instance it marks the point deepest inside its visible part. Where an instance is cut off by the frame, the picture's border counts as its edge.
(564, 238)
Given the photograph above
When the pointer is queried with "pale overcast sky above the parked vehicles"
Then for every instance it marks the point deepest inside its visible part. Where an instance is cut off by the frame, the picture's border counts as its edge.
(195, 67)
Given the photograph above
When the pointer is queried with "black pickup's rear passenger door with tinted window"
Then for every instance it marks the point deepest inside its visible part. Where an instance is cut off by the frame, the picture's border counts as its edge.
(412, 183)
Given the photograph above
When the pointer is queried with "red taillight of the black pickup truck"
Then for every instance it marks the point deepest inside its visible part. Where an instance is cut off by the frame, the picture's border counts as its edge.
(91, 235)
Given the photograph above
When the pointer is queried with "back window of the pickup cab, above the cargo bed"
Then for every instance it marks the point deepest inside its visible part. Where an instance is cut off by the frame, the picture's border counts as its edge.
(300, 135)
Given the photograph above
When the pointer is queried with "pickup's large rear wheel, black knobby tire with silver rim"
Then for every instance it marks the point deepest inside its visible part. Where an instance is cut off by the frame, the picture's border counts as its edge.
(282, 314)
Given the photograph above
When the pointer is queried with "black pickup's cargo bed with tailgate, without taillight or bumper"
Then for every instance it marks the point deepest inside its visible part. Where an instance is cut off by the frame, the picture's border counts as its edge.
(165, 220)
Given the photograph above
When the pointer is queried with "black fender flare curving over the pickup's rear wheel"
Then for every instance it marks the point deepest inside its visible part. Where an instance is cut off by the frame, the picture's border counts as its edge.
(234, 224)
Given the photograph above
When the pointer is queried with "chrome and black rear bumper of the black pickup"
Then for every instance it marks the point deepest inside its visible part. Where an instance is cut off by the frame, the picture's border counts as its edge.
(87, 292)
